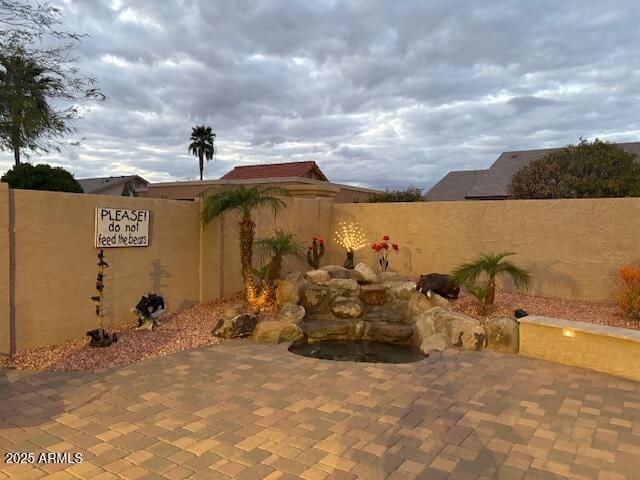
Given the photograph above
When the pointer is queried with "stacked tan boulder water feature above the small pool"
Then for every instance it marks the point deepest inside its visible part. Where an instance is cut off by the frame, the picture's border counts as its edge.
(334, 304)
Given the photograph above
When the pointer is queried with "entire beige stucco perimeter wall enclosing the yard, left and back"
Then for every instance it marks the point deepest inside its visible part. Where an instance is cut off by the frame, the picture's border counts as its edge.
(572, 247)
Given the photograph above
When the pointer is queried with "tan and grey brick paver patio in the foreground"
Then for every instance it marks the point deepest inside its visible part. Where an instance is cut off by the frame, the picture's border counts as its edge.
(248, 411)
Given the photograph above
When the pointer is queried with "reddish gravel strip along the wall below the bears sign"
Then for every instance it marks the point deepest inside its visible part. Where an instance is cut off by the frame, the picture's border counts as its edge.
(190, 328)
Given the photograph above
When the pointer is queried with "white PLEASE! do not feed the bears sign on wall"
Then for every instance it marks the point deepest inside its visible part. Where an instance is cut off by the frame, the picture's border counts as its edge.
(122, 227)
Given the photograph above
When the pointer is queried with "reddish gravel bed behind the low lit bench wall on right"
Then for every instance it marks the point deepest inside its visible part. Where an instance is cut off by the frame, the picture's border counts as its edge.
(579, 311)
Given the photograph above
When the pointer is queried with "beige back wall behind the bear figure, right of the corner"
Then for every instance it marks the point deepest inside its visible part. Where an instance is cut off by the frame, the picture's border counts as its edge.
(572, 247)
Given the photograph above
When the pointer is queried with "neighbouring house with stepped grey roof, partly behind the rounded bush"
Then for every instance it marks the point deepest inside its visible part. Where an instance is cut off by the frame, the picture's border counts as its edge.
(493, 183)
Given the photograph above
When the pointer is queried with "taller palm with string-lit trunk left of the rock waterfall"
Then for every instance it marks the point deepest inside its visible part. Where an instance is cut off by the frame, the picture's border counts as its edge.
(244, 200)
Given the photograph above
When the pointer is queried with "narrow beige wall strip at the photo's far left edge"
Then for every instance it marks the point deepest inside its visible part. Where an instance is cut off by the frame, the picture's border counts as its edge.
(5, 311)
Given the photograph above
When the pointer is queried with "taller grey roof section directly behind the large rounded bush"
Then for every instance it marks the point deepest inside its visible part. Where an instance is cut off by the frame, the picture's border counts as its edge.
(495, 182)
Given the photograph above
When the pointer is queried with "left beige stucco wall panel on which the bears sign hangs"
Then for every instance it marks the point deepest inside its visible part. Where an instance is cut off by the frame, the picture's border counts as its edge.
(56, 268)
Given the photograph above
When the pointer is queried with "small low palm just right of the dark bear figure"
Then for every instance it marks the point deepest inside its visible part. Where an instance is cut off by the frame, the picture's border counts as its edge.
(489, 265)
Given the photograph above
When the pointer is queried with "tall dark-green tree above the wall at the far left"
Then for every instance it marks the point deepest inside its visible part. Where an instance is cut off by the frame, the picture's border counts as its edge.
(25, 115)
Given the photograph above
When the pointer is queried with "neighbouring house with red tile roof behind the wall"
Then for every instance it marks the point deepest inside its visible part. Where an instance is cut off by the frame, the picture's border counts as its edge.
(302, 179)
